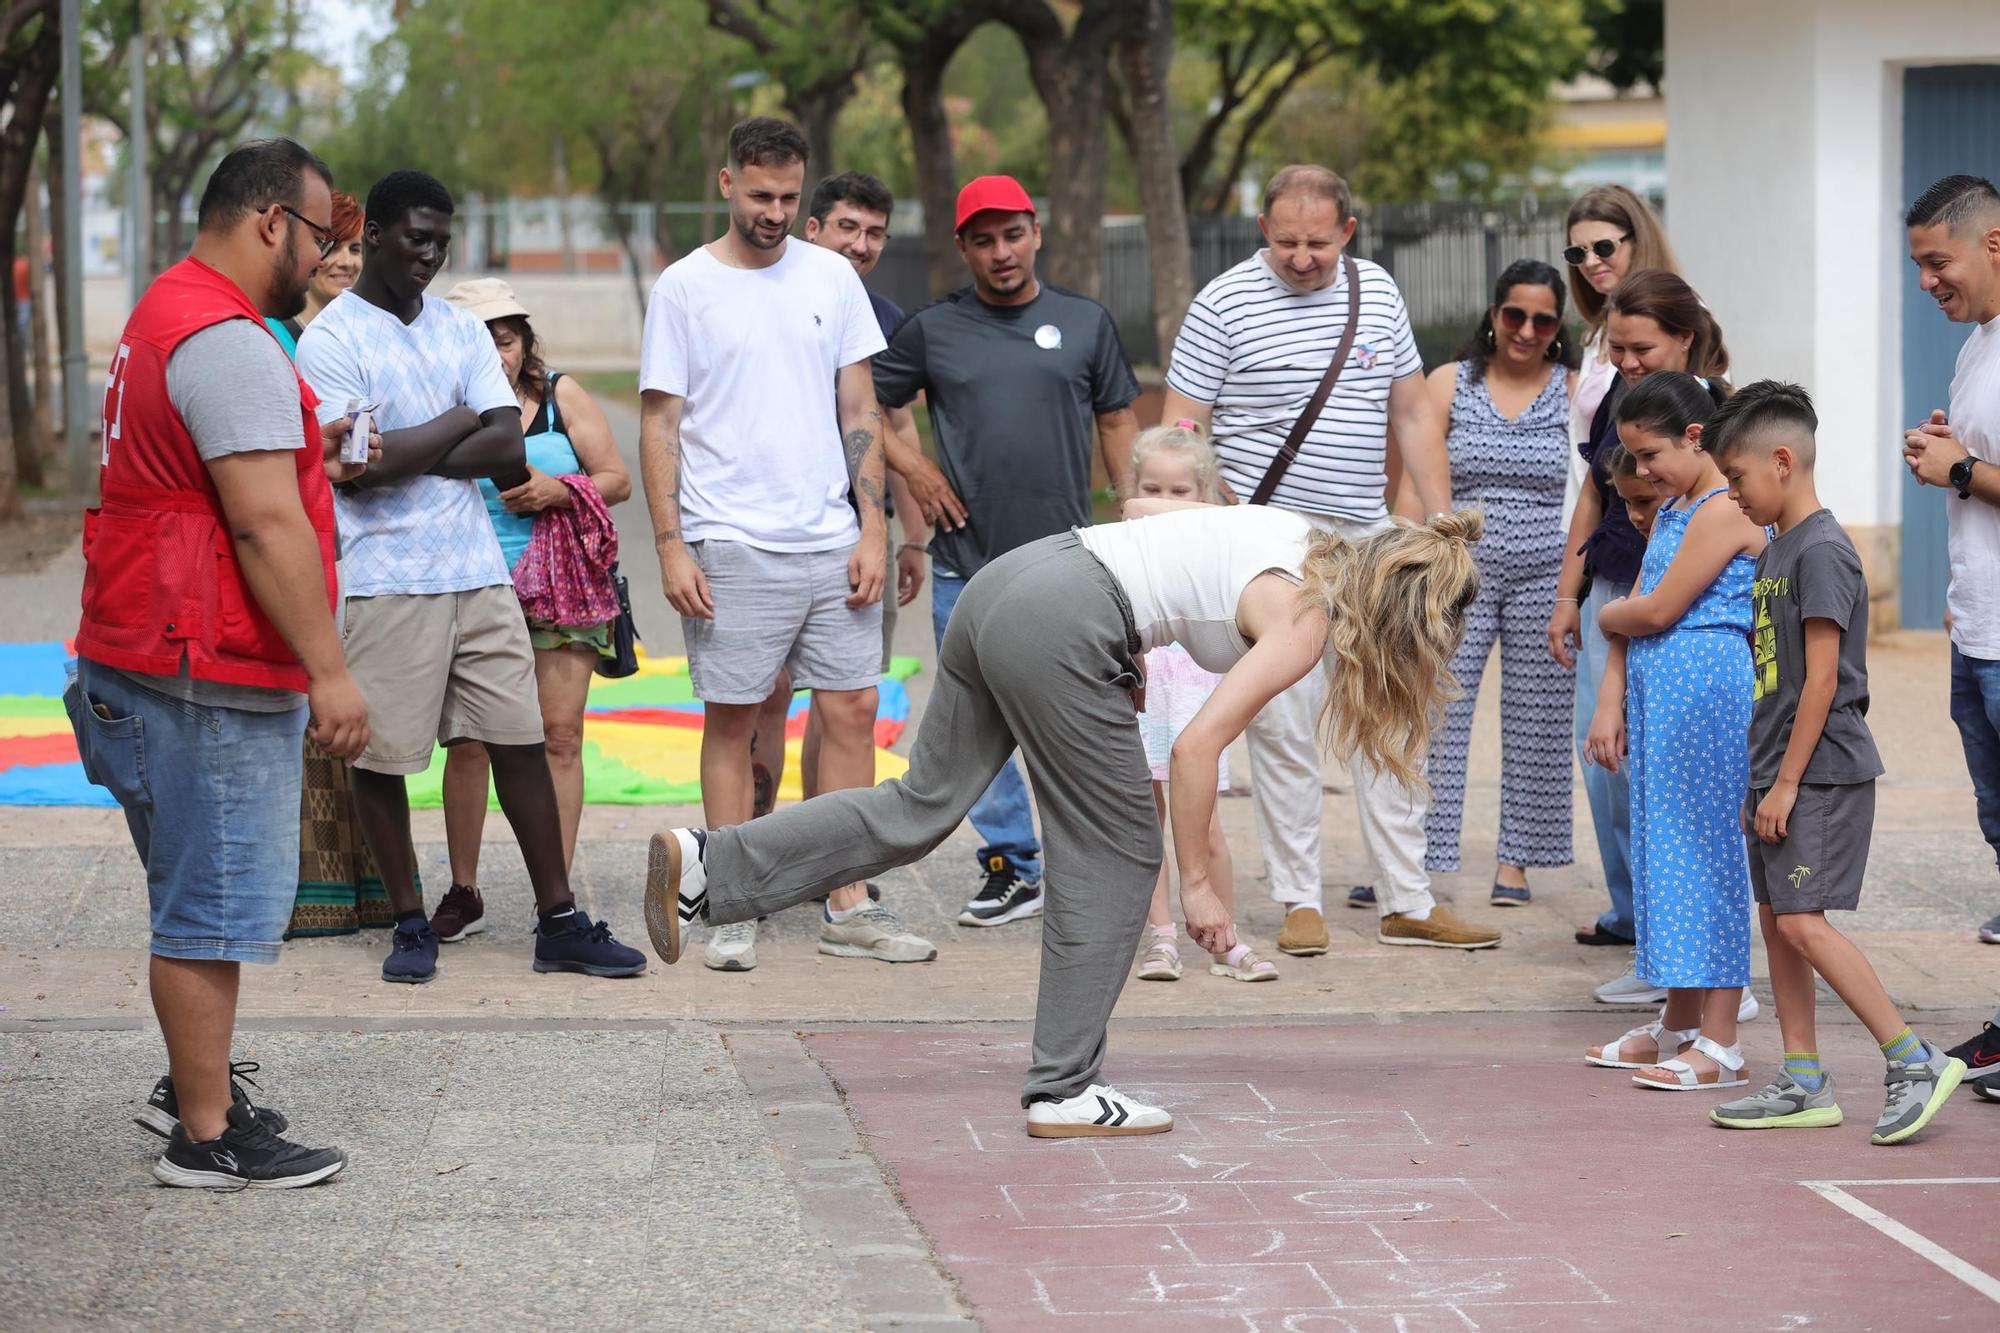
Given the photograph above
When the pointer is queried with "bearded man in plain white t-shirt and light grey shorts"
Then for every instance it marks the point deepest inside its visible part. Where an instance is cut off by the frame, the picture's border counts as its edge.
(749, 465)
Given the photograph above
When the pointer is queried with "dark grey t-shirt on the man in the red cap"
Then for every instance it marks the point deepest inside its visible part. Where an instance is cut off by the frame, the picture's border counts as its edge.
(1013, 393)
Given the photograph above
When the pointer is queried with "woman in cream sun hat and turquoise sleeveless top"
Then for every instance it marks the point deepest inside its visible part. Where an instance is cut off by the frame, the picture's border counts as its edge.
(567, 435)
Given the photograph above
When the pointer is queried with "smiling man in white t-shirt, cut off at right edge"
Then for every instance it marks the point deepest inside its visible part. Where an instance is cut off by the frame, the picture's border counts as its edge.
(1955, 241)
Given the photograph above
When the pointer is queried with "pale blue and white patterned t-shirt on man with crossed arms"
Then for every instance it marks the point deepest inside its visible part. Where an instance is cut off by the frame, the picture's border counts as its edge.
(427, 533)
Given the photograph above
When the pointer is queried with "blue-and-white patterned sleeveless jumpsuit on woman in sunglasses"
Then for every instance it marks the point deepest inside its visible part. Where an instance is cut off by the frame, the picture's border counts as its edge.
(1517, 473)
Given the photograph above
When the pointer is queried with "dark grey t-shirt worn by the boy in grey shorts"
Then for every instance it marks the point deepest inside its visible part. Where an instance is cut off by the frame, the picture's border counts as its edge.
(1811, 573)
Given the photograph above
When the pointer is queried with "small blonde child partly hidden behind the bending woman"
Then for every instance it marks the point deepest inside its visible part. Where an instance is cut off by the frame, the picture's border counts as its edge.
(1179, 465)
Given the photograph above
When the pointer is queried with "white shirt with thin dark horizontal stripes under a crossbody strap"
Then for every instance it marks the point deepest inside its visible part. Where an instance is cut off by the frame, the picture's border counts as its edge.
(1255, 349)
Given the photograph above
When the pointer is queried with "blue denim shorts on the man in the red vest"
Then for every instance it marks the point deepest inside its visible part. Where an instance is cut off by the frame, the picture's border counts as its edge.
(213, 804)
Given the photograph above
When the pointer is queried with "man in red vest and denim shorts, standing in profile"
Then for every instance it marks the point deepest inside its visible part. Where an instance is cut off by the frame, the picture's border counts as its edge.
(209, 647)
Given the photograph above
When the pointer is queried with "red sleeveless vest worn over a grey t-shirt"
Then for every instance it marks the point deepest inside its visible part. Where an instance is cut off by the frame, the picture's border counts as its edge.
(161, 575)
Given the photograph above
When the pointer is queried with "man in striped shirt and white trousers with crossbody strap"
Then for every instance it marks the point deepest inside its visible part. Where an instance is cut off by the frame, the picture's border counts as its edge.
(1245, 367)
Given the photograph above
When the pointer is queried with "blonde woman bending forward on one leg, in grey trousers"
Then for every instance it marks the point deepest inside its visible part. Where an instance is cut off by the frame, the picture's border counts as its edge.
(1045, 655)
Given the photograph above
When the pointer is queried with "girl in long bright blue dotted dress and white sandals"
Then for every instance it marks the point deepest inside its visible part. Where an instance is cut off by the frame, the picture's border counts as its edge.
(1679, 702)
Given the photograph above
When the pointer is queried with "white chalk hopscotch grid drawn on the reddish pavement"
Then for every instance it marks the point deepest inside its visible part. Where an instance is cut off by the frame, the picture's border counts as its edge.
(1249, 1224)
